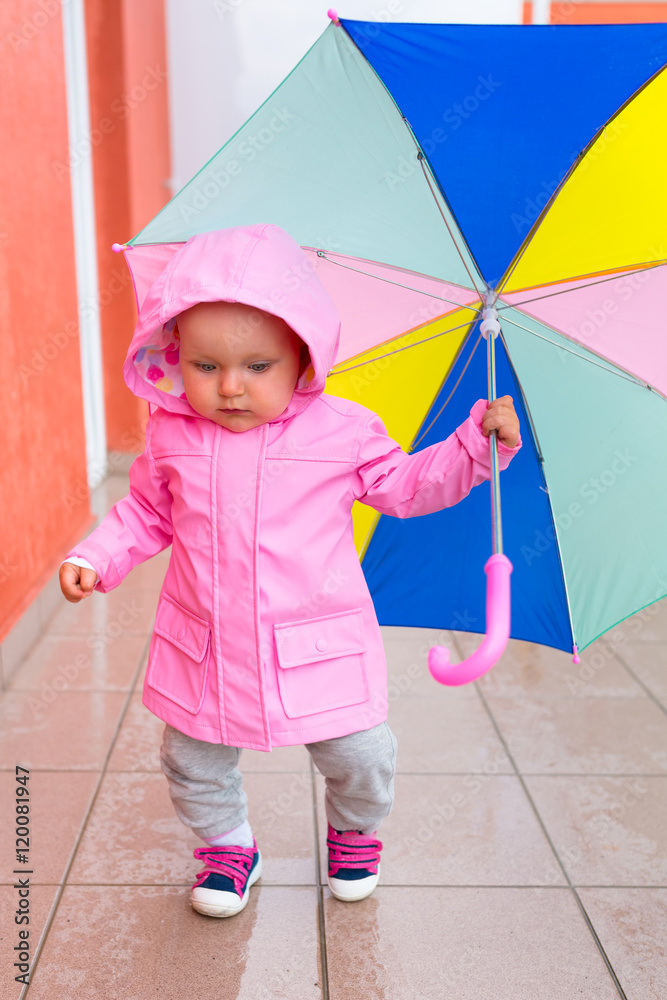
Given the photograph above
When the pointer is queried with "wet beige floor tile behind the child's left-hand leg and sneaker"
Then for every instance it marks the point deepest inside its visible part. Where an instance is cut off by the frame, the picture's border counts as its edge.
(134, 826)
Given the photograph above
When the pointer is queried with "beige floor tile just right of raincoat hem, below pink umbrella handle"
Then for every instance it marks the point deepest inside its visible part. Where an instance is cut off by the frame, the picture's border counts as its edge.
(449, 733)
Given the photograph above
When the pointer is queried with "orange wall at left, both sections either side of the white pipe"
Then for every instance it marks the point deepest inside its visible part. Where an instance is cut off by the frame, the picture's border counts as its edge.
(44, 502)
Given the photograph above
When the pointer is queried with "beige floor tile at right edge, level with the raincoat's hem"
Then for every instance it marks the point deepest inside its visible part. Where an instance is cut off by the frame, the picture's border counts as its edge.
(584, 735)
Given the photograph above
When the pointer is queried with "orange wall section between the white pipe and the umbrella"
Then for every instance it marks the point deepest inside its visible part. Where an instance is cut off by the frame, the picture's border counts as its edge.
(130, 132)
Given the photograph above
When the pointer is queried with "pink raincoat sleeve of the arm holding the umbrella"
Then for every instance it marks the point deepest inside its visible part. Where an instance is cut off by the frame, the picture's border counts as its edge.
(402, 485)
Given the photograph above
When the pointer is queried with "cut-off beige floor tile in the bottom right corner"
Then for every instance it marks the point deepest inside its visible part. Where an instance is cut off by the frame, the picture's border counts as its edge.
(632, 927)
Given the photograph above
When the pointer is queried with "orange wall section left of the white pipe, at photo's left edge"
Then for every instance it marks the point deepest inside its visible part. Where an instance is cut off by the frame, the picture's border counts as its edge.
(43, 493)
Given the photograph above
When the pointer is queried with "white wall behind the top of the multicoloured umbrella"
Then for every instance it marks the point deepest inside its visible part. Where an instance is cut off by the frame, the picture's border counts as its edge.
(226, 56)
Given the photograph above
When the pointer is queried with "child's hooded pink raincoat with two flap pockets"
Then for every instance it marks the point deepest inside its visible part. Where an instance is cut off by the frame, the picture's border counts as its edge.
(265, 633)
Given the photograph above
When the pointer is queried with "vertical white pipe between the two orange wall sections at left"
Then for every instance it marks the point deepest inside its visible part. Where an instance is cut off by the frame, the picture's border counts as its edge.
(85, 244)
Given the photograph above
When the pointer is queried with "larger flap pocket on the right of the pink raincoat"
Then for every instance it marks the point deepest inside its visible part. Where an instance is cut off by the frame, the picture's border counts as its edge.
(321, 663)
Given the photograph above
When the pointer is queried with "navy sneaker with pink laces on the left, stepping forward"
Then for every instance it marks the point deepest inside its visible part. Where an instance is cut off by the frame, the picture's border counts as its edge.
(221, 890)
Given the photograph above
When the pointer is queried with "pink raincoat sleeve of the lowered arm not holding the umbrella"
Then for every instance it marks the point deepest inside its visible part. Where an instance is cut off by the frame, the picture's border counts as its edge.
(136, 528)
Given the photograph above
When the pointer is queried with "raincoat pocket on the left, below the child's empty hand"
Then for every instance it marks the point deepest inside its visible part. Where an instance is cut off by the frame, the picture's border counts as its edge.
(180, 652)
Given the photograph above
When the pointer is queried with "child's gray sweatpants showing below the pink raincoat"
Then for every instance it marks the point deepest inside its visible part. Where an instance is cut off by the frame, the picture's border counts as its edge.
(206, 790)
